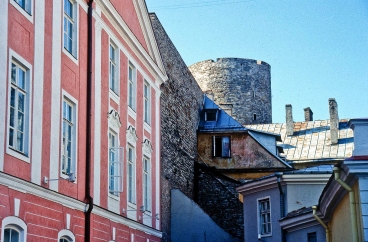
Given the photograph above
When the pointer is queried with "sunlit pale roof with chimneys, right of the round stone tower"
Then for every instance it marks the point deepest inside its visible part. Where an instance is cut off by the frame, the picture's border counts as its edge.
(311, 141)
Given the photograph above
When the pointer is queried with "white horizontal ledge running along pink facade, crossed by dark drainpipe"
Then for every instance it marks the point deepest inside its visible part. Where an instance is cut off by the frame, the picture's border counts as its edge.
(47, 194)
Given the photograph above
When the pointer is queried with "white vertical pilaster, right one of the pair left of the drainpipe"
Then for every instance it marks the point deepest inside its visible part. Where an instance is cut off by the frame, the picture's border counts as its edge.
(57, 13)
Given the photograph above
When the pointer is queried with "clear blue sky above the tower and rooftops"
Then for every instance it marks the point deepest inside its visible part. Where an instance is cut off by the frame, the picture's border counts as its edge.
(317, 49)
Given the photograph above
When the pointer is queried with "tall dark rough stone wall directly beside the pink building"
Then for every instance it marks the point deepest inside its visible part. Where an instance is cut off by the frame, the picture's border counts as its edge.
(181, 101)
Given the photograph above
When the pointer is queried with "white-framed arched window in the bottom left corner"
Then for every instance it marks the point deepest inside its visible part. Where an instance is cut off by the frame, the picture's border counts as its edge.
(14, 230)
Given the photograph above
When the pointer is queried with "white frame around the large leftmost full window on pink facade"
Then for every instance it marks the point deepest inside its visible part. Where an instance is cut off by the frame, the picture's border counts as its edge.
(24, 154)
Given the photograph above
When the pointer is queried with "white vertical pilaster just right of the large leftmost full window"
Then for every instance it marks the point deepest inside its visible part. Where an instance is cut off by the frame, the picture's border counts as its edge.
(37, 124)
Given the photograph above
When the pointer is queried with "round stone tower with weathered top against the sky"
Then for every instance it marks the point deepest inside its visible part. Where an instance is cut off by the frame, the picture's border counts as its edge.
(241, 87)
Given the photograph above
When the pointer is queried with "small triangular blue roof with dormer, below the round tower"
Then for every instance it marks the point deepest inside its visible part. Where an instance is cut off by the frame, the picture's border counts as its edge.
(223, 123)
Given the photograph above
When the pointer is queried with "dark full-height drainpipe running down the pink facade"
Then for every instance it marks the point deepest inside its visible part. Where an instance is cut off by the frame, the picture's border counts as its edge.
(88, 199)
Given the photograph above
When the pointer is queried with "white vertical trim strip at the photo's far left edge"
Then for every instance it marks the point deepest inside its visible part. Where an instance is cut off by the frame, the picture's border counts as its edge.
(3, 76)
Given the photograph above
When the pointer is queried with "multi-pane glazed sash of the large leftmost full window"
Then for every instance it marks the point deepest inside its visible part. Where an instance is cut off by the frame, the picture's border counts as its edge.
(18, 136)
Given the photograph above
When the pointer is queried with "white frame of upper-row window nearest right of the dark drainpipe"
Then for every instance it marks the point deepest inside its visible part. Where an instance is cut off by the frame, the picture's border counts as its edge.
(114, 61)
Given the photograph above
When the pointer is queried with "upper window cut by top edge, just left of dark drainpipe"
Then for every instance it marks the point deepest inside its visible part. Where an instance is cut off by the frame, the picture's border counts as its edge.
(70, 27)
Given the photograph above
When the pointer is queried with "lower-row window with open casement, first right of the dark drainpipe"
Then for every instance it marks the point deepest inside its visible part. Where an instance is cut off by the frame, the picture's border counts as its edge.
(115, 166)
